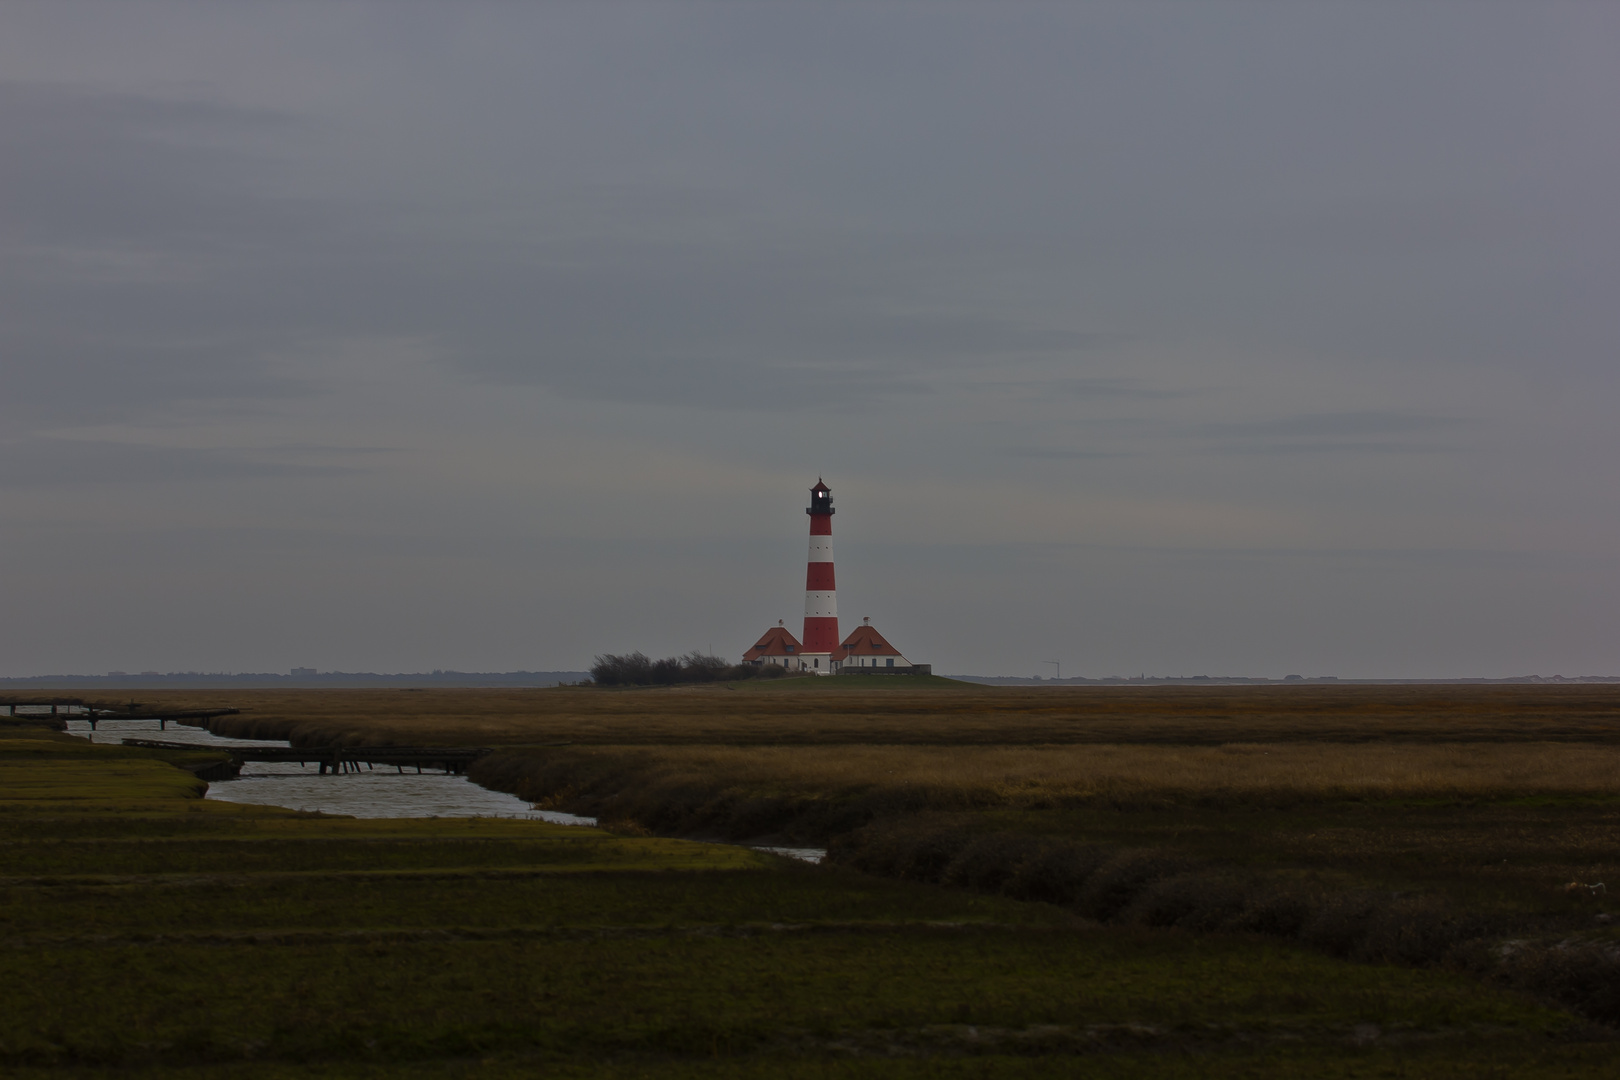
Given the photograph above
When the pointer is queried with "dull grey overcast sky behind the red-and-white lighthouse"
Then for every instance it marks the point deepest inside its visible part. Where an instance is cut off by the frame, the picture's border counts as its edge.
(1148, 338)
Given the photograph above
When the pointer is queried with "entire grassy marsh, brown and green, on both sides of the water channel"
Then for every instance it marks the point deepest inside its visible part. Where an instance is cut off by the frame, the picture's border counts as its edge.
(158, 935)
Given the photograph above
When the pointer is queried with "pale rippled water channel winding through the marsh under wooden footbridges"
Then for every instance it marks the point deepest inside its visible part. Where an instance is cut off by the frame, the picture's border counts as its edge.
(367, 794)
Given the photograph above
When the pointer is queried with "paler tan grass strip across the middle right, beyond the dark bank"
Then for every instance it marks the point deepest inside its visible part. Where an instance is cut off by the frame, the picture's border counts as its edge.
(1122, 775)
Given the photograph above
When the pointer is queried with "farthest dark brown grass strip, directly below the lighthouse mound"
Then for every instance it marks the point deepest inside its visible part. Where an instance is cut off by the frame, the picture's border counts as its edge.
(803, 712)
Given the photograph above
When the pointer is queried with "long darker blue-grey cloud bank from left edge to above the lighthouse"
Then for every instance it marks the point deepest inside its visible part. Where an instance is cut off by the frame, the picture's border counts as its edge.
(158, 266)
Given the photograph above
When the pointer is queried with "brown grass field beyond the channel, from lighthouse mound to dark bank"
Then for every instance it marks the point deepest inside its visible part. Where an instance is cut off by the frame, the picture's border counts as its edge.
(1490, 796)
